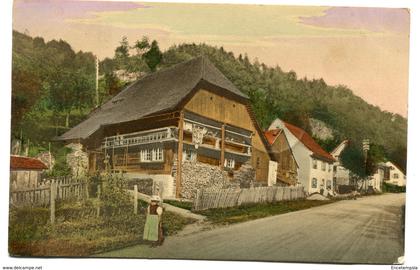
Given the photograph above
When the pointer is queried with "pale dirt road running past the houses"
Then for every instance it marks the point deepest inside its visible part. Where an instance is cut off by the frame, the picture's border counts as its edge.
(366, 230)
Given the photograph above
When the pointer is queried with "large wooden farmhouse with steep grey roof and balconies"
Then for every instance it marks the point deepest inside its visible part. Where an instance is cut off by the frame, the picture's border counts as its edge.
(184, 127)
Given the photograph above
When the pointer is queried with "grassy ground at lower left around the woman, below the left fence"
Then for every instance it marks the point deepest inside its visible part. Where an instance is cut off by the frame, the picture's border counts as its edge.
(79, 235)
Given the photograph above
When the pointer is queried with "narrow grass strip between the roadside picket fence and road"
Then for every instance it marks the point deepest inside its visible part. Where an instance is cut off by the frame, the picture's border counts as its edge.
(255, 211)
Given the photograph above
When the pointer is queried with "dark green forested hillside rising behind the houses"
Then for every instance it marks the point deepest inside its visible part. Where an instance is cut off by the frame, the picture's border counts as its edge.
(54, 87)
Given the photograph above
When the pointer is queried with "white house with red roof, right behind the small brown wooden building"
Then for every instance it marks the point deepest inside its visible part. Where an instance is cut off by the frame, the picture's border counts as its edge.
(315, 170)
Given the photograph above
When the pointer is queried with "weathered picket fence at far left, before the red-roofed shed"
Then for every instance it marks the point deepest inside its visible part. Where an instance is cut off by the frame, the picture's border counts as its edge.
(63, 189)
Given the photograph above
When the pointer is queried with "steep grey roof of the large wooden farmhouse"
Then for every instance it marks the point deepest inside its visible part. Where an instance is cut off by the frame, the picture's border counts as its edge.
(157, 92)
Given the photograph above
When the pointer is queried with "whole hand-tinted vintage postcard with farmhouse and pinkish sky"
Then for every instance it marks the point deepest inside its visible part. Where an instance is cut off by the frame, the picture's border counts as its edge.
(208, 131)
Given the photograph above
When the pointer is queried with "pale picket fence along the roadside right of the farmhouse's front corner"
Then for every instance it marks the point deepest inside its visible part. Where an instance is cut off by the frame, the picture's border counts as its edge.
(223, 198)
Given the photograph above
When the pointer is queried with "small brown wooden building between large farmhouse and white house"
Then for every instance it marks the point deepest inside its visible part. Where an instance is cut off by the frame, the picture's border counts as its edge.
(283, 155)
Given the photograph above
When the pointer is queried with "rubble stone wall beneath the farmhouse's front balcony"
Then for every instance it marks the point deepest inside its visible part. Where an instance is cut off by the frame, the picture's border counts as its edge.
(197, 175)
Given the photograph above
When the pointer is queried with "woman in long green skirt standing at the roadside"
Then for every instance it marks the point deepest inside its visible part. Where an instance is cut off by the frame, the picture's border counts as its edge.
(153, 227)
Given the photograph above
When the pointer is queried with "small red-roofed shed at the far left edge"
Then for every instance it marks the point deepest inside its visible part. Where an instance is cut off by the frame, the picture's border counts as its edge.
(25, 172)
